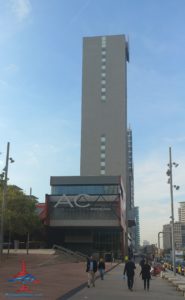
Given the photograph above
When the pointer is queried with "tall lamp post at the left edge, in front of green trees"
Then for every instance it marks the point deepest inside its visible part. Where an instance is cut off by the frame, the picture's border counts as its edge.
(4, 177)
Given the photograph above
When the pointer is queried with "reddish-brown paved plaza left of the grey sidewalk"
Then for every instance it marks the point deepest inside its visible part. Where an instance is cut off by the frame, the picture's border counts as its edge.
(56, 276)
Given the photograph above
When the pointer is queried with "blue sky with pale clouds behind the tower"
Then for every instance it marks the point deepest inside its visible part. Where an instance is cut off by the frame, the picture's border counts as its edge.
(40, 92)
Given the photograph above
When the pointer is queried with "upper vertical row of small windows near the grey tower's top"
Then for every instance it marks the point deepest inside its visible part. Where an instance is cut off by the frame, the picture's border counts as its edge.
(103, 68)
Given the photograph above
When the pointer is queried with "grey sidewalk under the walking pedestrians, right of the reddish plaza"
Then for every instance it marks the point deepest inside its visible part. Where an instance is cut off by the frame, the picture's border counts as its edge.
(114, 287)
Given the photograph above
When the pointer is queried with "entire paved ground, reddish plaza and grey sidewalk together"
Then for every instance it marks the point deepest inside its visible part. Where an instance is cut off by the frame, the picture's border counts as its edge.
(60, 280)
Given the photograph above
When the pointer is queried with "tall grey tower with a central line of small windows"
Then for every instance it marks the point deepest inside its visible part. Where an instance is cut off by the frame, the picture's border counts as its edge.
(104, 106)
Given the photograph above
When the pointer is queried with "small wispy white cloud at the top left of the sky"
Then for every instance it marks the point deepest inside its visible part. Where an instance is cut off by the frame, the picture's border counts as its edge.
(21, 8)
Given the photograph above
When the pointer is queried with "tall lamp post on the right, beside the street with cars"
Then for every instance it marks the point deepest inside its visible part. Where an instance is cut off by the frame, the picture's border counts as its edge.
(170, 181)
